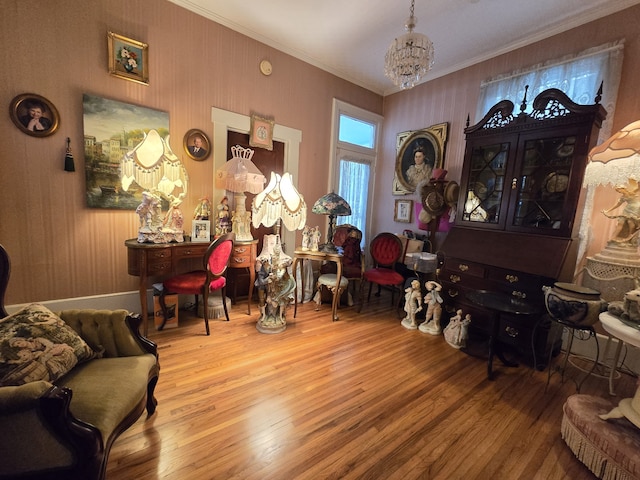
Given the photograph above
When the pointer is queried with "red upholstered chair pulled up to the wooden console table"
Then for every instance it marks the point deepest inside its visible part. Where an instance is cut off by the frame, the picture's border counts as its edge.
(201, 282)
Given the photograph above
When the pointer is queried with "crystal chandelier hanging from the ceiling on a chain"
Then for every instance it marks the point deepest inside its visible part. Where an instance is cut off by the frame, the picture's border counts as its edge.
(409, 56)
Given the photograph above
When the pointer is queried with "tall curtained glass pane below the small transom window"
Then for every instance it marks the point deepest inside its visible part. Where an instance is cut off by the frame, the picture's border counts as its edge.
(354, 188)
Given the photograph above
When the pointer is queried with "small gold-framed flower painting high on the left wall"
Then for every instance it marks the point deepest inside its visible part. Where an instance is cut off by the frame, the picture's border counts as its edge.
(128, 59)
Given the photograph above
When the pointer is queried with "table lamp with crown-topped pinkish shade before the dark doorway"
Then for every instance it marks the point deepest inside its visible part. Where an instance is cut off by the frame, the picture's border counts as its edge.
(240, 175)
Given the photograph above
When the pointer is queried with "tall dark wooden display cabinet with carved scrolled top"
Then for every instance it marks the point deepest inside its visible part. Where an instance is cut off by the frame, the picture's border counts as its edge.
(516, 221)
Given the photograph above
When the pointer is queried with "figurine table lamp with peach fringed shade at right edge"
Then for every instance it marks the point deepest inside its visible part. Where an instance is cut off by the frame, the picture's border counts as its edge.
(614, 271)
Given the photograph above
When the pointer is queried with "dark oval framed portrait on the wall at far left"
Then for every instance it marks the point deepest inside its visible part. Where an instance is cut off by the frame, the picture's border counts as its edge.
(34, 115)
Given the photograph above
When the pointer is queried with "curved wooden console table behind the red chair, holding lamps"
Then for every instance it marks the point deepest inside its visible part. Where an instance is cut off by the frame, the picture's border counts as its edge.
(163, 260)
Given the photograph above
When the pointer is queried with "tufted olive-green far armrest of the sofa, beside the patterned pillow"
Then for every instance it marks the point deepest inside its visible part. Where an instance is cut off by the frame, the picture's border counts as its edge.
(114, 332)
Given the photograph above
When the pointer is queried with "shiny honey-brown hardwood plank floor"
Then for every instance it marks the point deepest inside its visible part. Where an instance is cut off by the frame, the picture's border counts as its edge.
(361, 398)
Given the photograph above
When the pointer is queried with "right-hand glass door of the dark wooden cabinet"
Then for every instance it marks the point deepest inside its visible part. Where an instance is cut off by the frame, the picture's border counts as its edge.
(539, 186)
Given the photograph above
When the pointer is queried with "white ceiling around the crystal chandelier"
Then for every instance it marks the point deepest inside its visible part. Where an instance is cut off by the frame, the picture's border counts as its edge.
(349, 38)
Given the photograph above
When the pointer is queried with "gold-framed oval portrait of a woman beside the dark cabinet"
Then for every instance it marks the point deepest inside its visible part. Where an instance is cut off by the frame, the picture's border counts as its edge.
(418, 154)
